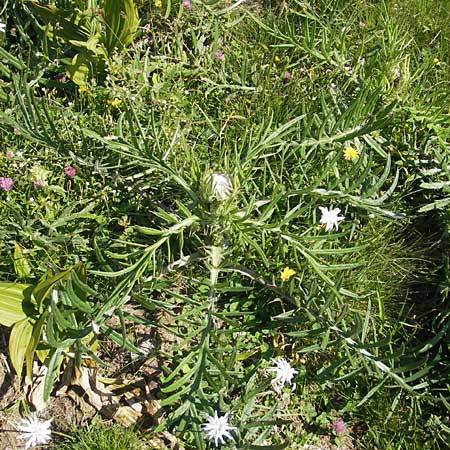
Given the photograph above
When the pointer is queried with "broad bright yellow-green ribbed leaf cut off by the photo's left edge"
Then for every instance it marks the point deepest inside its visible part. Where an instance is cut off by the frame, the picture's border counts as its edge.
(12, 298)
